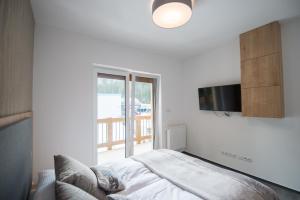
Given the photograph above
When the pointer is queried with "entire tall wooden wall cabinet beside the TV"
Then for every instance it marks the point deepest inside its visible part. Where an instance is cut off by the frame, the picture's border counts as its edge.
(261, 72)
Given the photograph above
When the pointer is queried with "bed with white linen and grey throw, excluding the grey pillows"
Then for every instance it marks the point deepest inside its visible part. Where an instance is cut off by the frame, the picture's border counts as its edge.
(165, 174)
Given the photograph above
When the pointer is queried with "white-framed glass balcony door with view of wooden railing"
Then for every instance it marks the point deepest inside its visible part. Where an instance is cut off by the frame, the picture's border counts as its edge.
(125, 120)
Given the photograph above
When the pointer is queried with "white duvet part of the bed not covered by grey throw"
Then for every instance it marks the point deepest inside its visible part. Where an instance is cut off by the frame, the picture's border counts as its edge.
(142, 184)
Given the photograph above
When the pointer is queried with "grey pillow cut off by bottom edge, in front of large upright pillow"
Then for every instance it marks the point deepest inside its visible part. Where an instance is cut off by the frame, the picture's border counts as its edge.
(65, 191)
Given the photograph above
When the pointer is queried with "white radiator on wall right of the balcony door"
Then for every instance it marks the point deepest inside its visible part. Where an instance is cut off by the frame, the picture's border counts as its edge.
(176, 137)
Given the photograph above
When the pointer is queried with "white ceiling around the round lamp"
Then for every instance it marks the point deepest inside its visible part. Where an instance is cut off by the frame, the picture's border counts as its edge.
(129, 22)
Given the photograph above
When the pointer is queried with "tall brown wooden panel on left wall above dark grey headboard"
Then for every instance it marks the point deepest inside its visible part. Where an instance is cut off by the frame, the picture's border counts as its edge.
(16, 56)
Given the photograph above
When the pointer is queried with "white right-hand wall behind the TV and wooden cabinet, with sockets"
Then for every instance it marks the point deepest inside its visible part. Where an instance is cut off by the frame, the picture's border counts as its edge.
(273, 144)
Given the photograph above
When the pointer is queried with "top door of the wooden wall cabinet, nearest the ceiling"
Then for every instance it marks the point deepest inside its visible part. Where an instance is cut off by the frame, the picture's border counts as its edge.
(262, 41)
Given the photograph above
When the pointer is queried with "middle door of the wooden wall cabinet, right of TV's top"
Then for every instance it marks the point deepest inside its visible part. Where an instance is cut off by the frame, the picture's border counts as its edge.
(263, 71)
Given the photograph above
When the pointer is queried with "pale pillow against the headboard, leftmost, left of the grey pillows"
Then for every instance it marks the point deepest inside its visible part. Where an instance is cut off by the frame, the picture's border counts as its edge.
(46, 186)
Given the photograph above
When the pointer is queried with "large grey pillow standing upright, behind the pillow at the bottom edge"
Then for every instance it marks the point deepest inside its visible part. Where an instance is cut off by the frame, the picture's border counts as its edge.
(71, 171)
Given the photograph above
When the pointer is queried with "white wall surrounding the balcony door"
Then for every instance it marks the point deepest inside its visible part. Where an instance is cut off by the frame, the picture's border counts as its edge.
(63, 90)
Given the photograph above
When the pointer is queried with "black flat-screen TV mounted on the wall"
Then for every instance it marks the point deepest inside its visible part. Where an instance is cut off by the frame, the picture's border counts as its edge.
(220, 98)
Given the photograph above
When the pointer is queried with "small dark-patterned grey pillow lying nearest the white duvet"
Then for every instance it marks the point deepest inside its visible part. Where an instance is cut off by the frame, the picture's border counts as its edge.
(107, 180)
